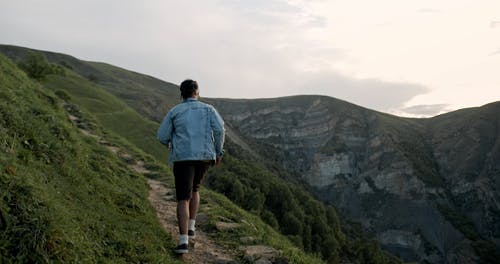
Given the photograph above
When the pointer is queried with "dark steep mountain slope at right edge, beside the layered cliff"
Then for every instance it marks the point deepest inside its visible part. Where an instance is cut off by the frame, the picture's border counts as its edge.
(466, 145)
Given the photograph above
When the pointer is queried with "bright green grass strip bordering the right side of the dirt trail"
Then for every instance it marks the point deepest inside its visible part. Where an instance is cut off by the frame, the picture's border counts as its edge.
(117, 122)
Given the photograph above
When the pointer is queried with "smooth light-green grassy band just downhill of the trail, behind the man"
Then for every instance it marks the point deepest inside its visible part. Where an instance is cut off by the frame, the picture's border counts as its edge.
(111, 112)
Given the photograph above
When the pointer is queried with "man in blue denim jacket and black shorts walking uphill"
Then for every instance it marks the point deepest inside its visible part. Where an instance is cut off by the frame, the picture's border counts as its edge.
(195, 133)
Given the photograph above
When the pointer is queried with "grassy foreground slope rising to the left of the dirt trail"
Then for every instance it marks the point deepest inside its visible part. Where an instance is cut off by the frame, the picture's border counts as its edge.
(64, 197)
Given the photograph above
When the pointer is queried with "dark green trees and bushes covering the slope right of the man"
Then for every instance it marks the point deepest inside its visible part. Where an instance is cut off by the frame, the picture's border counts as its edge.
(308, 223)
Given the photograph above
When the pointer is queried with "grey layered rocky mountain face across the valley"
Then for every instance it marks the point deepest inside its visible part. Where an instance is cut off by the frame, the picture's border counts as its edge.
(428, 189)
